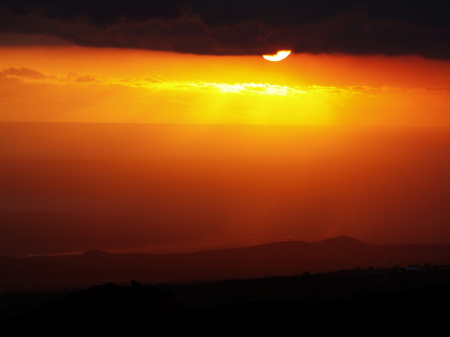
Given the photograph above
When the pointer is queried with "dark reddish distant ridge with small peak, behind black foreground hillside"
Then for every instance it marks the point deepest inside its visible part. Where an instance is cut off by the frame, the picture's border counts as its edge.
(273, 259)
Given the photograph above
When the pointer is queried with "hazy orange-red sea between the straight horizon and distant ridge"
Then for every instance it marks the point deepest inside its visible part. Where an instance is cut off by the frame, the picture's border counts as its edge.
(133, 187)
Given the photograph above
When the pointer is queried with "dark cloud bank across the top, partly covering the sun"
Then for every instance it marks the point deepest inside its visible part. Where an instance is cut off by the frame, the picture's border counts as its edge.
(237, 27)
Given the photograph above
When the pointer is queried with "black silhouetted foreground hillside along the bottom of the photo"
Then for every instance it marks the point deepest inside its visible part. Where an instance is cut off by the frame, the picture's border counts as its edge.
(352, 302)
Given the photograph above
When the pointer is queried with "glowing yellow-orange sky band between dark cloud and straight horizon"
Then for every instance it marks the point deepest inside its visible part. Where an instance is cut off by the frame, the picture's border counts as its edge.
(75, 84)
